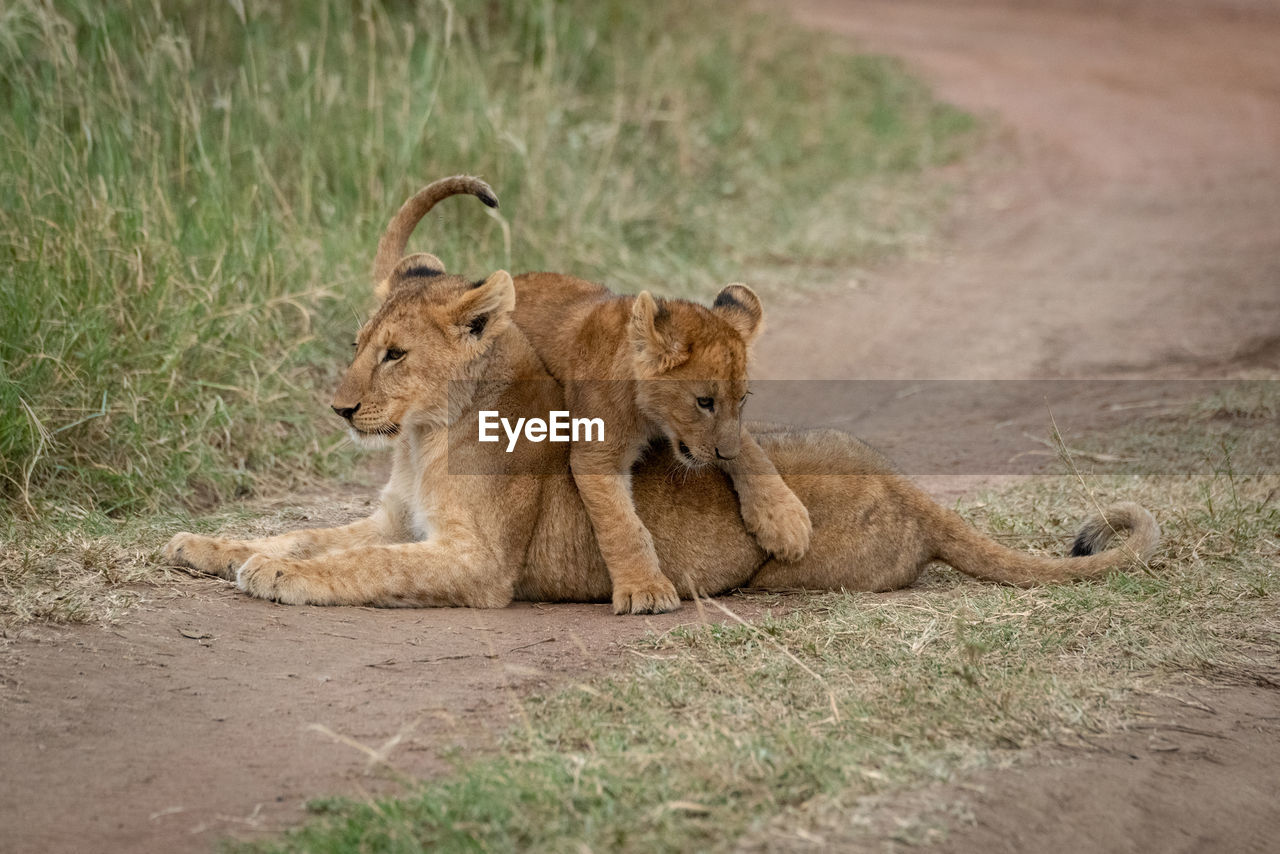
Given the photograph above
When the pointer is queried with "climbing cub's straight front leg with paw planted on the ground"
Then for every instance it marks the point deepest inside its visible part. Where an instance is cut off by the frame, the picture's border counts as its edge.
(639, 586)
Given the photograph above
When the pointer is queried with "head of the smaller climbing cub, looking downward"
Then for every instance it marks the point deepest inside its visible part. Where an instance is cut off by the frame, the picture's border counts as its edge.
(692, 364)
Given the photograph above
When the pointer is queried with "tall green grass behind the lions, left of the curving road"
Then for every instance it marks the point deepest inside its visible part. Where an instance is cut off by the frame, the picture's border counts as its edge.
(190, 199)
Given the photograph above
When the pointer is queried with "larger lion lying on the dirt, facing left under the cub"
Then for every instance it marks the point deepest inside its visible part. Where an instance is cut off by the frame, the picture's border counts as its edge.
(452, 529)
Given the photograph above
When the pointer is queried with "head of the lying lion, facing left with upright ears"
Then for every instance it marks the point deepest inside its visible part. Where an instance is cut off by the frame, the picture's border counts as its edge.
(431, 328)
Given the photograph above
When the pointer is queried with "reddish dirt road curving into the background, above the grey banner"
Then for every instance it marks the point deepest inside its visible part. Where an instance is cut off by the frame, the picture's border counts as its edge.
(1132, 226)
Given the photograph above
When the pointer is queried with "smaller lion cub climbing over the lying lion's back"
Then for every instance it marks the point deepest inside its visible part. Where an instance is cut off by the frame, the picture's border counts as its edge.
(656, 369)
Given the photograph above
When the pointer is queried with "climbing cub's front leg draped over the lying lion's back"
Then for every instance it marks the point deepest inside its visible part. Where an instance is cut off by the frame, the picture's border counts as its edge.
(771, 512)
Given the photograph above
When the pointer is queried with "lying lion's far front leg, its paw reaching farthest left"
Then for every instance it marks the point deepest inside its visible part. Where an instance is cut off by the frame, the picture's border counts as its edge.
(223, 558)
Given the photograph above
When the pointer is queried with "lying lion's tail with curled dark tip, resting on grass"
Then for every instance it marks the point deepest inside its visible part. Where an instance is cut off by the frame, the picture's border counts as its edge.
(973, 554)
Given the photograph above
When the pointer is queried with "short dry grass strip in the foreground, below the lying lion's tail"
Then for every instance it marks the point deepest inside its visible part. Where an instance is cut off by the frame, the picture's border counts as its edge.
(728, 738)
